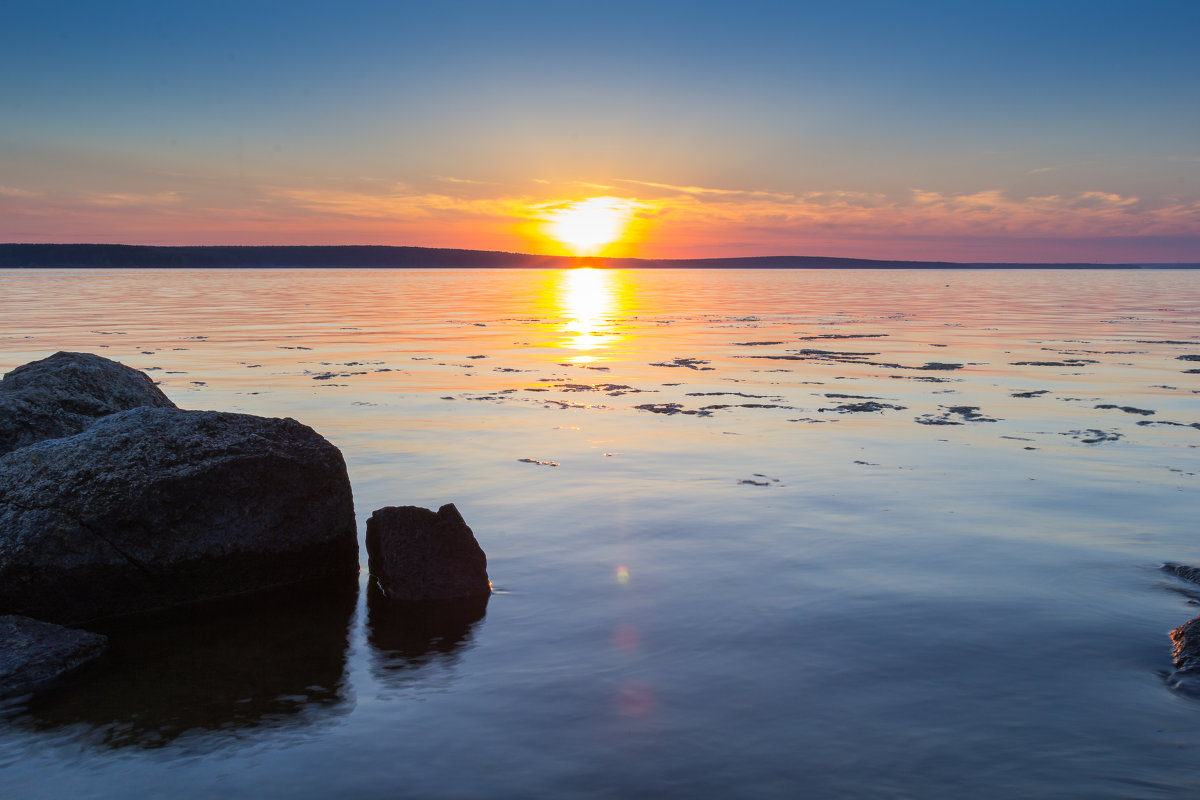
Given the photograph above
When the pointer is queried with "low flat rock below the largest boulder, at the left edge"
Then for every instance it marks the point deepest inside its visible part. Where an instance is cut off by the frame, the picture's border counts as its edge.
(35, 654)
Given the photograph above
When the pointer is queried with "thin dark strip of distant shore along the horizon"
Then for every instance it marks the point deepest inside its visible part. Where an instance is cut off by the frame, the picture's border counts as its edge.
(26, 256)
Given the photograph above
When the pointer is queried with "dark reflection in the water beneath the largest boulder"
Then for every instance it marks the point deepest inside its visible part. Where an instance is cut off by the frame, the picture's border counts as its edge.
(256, 663)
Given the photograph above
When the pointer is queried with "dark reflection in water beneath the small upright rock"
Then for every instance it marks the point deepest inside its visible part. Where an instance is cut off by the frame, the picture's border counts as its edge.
(409, 637)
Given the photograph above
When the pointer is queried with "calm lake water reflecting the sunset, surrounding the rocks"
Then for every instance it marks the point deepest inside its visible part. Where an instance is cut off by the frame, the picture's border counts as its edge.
(716, 579)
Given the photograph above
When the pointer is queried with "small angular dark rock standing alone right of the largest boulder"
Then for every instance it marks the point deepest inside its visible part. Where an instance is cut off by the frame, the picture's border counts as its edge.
(417, 555)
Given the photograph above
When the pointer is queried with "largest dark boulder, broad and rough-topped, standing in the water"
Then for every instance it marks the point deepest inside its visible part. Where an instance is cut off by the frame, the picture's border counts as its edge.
(157, 508)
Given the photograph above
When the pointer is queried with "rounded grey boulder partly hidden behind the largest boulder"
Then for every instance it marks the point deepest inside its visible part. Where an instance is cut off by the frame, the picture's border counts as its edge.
(67, 393)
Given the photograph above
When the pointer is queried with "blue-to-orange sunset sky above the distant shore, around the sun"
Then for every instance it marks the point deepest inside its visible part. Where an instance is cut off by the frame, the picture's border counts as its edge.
(1049, 131)
